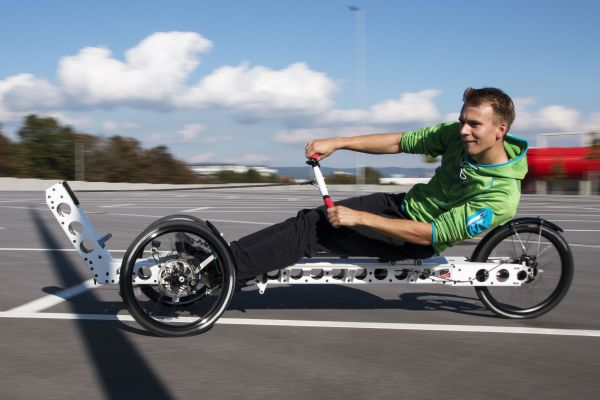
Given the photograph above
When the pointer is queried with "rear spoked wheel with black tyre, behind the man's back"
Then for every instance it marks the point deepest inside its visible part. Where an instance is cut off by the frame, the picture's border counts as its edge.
(550, 269)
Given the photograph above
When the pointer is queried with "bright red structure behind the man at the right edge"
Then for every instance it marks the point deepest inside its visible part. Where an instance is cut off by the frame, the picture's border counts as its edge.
(575, 162)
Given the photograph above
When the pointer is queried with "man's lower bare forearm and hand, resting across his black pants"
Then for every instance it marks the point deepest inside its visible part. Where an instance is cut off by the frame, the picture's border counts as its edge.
(407, 230)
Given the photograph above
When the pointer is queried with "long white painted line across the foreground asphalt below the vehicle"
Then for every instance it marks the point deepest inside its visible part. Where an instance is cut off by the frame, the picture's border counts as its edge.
(327, 324)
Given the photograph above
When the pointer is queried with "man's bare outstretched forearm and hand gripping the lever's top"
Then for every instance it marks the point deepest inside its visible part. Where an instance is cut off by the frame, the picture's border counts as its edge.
(381, 143)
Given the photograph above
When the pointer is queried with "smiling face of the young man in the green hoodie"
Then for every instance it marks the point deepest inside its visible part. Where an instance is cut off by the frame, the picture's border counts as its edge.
(481, 136)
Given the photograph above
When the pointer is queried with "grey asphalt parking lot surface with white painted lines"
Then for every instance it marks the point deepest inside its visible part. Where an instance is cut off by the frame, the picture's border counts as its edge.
(429, 346)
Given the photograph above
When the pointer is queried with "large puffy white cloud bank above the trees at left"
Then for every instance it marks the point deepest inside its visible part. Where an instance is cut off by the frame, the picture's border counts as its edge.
(154, 74)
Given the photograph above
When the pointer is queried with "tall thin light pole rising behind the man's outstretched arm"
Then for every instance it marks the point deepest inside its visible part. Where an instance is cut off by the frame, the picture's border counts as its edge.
(360, 47)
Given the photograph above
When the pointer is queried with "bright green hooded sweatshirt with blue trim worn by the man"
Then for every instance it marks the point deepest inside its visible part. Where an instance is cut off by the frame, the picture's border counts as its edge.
(463, 198)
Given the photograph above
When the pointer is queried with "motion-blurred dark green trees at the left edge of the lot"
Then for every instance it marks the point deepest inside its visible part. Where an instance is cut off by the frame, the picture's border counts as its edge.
(47, 151)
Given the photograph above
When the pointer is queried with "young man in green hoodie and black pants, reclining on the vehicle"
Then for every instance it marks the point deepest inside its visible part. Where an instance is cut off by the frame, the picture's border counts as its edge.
(476, 187)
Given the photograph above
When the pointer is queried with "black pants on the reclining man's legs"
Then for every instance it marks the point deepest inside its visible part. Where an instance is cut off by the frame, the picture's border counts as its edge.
(284, 244)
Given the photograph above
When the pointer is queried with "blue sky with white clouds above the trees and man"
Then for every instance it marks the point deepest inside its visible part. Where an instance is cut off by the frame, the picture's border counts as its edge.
(251, 82)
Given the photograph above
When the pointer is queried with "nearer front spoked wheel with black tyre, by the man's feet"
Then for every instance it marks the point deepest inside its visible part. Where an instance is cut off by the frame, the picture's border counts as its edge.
(177, 278)
